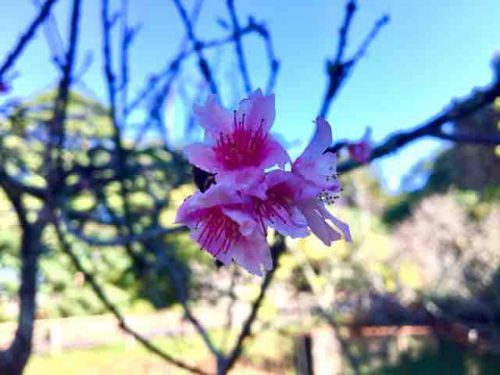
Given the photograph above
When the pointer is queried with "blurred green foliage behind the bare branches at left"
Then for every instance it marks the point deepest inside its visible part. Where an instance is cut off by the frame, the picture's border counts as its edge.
(92, 204)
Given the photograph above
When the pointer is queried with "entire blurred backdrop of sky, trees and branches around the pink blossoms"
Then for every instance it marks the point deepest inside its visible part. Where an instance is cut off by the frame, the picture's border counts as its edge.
(92, 173)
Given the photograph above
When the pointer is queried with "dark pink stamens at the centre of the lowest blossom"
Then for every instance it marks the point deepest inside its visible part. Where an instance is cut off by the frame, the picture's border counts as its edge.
(218, 231)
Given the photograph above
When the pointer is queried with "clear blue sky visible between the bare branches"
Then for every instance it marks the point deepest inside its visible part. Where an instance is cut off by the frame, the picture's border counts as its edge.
(431, 52)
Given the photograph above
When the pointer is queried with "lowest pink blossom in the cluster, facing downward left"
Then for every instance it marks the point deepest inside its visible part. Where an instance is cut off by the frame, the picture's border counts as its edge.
(223, 227)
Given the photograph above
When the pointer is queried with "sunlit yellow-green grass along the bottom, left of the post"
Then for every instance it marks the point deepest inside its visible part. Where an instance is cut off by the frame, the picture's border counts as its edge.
(131, 358)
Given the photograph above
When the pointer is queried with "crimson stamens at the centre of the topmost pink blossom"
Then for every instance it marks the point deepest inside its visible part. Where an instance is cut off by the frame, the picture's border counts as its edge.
(241, 147)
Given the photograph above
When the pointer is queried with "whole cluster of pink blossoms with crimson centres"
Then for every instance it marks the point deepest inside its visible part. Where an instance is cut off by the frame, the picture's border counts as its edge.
(253, 187)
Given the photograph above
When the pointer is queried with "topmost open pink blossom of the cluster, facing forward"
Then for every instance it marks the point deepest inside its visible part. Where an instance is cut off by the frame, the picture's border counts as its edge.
(238, 147)
